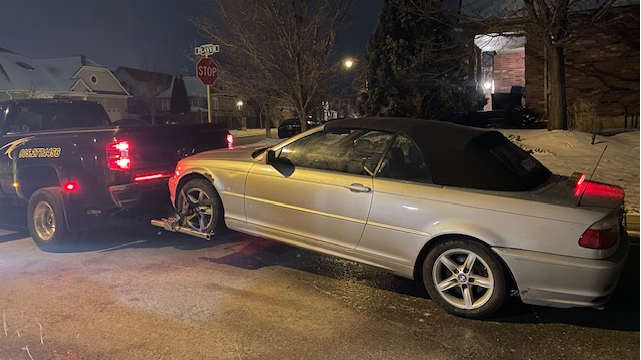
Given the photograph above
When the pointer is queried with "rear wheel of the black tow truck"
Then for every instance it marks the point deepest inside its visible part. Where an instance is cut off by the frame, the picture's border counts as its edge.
(46, 219)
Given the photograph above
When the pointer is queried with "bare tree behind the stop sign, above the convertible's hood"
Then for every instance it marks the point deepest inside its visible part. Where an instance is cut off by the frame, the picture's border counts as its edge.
(279, 51)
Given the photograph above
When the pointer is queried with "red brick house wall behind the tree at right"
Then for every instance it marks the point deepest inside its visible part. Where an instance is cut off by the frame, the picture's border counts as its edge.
(602, 68)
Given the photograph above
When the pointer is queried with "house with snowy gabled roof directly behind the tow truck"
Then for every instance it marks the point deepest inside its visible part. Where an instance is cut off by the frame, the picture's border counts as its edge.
(75, 77)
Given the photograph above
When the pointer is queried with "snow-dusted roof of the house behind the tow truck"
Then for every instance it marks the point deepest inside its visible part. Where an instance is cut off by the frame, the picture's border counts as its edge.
(21, 72)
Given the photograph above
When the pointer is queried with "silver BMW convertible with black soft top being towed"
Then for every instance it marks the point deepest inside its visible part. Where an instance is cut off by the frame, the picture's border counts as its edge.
(465, 212)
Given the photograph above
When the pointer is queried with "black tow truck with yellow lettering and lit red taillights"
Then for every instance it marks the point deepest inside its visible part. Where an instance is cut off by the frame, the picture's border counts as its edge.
(72, 168)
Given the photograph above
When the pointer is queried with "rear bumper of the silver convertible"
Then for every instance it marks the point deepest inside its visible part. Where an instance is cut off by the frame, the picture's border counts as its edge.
(562, 281)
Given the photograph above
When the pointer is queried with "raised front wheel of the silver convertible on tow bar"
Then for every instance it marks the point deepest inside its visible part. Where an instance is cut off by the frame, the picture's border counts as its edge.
(199, 202)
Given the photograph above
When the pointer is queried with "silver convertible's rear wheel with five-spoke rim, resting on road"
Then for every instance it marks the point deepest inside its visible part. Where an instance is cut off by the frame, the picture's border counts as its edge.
(465, 278)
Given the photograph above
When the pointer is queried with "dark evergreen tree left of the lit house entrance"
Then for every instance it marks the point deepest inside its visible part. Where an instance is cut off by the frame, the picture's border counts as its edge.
(416, 65)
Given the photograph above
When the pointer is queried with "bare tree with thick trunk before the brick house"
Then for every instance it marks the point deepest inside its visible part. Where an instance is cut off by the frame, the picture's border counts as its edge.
(552, 24)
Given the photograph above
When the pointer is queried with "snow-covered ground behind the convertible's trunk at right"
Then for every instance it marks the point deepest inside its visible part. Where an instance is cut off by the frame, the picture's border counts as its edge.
(564, 152)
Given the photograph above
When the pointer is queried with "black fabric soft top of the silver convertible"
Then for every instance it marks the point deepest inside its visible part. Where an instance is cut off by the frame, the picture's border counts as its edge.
(462, 156)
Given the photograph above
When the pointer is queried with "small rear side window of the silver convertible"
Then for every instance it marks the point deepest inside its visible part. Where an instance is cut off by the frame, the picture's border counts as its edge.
(404, 161)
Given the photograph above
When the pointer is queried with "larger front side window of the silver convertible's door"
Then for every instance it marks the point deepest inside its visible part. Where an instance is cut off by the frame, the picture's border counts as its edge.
(343, 150)
